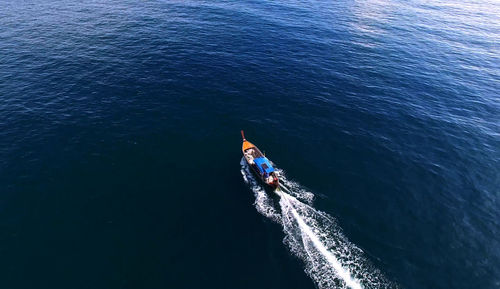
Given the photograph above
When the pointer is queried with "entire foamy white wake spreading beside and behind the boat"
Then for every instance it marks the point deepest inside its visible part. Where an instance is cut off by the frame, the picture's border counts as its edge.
(314, 236)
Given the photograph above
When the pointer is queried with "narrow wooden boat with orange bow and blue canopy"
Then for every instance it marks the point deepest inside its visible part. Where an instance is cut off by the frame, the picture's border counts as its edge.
(260, 165)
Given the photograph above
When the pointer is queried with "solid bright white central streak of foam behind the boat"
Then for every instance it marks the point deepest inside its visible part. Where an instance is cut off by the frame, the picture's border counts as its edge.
(341, 272)
